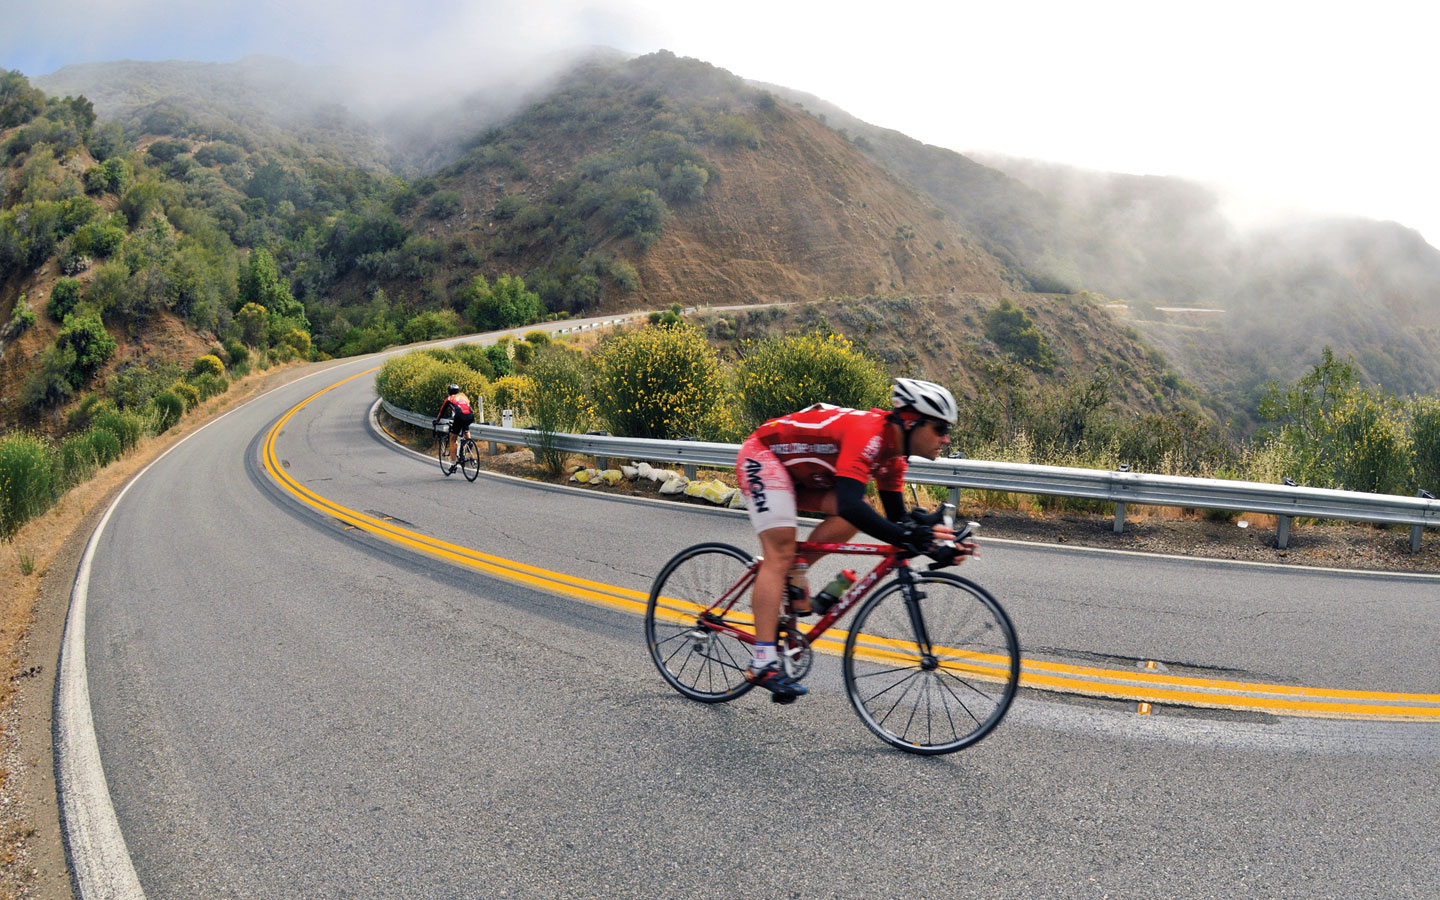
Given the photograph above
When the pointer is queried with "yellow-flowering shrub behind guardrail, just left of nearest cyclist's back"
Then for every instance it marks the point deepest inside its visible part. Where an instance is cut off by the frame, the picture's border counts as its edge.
(660, 384)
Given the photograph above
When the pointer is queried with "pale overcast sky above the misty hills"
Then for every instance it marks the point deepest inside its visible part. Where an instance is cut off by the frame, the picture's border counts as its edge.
(1321, 107)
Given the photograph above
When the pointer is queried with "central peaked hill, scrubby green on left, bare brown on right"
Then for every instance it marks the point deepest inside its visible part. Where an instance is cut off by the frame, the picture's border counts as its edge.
(796, 214)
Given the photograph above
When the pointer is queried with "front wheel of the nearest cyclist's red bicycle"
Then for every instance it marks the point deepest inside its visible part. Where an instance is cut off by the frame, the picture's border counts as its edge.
(940, 680)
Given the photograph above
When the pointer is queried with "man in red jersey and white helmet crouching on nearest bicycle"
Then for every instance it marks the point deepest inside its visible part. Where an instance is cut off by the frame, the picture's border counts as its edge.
(820, 460)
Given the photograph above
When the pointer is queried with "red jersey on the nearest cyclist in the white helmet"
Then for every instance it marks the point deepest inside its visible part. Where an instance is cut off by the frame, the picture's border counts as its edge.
(823, 443)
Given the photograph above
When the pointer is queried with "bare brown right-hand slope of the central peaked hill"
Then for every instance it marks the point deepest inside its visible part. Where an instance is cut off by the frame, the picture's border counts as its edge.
(807, 217)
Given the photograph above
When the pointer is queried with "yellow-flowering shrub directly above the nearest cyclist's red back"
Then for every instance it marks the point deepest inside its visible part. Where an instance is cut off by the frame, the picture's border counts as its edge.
(783, 375)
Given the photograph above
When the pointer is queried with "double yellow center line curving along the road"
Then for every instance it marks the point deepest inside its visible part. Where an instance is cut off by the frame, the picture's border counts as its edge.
(1140, 686)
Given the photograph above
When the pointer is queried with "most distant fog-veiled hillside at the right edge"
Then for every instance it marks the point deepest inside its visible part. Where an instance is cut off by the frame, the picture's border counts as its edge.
(1369, 290)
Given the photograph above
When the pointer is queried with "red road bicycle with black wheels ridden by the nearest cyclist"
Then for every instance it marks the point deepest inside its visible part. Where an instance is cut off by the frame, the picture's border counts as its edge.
(931, 662)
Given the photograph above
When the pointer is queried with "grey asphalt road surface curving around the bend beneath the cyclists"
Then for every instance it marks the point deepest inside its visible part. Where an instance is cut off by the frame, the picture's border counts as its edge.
(287, 708)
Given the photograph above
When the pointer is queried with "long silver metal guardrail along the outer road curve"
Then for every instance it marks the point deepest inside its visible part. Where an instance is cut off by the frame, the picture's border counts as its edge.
(1285, 502)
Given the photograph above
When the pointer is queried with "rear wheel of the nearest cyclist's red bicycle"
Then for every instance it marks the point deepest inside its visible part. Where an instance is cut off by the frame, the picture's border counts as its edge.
(683, 617)
